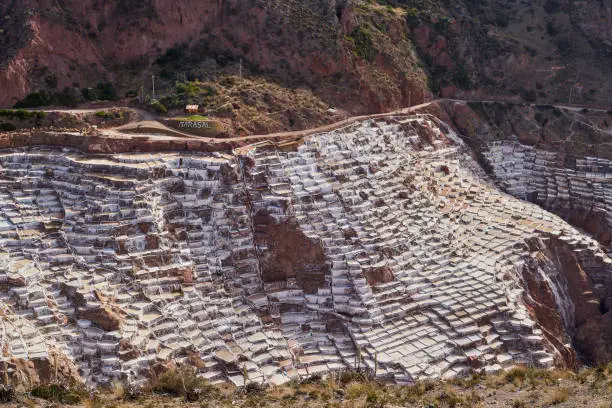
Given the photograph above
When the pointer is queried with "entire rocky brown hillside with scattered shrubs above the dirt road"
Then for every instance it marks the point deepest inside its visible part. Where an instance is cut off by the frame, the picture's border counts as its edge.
(354, 55)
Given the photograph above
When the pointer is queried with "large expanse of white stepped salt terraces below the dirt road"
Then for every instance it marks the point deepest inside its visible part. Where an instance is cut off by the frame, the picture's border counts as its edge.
(120, 262)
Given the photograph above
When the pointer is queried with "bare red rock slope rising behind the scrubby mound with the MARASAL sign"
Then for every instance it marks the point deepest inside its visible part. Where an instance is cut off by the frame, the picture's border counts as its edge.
(83, 43)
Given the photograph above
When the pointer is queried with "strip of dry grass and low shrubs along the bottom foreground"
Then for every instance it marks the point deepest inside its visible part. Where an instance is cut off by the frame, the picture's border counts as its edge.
(517, 388)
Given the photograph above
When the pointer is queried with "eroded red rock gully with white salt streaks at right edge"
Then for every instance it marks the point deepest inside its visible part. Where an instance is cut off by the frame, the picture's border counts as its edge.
(582, 312)
